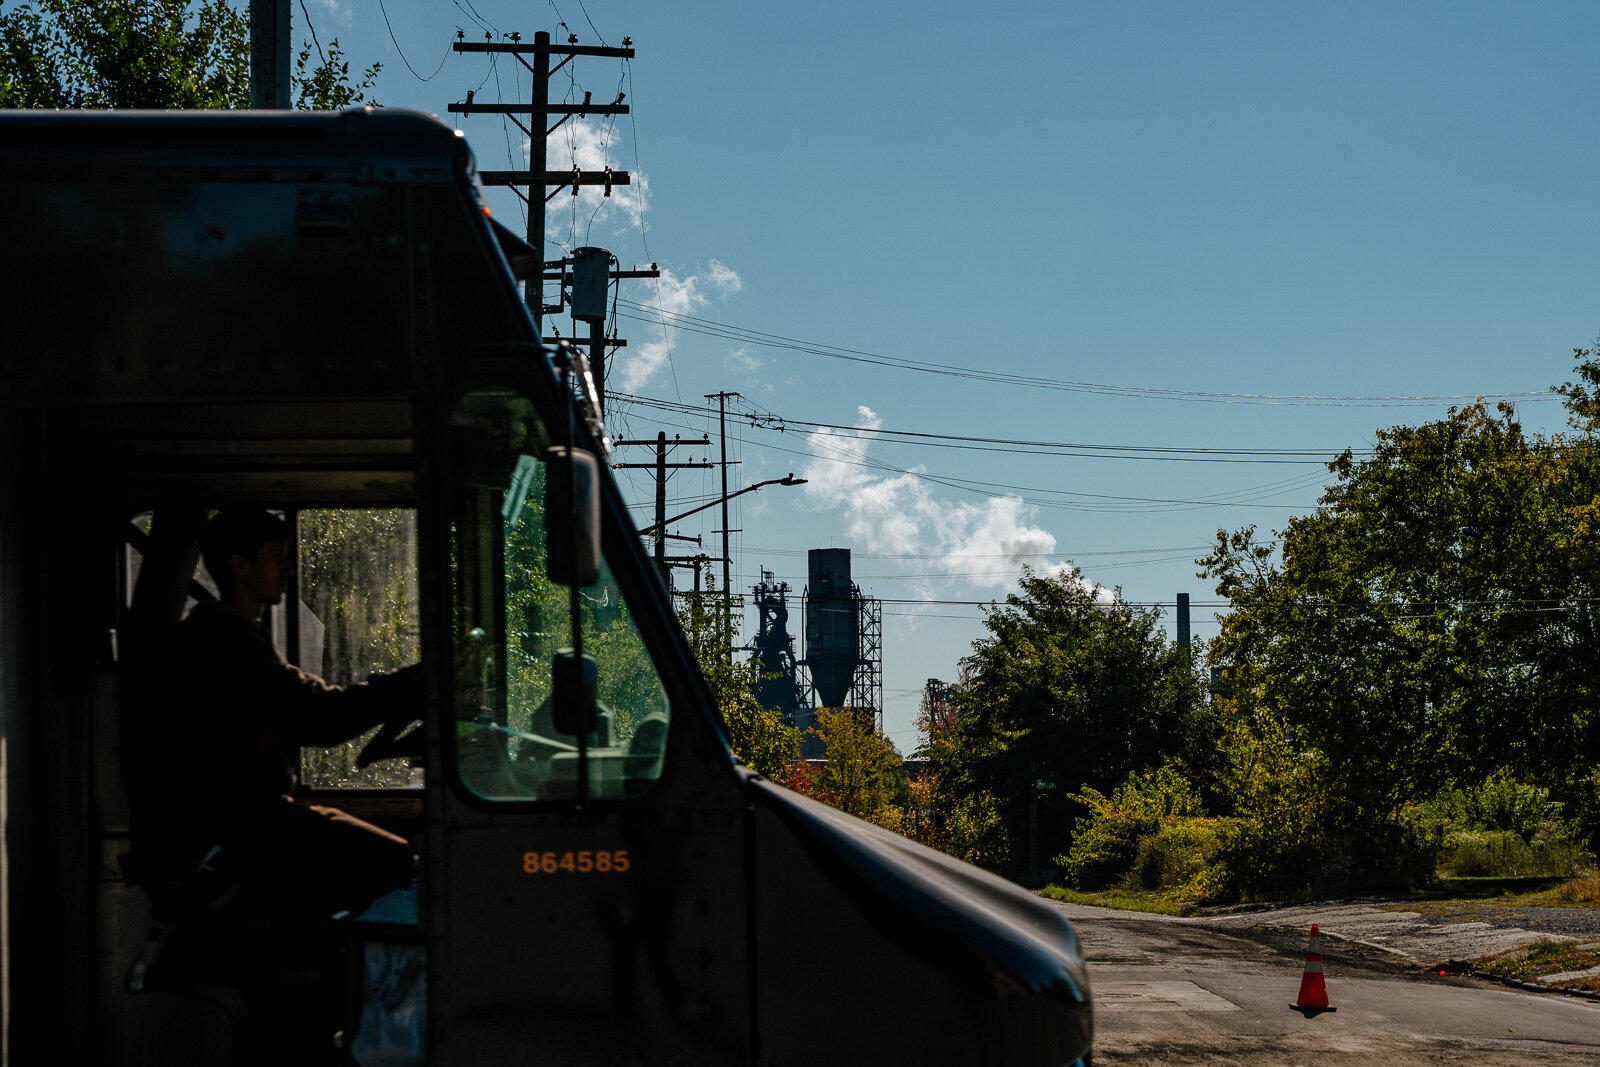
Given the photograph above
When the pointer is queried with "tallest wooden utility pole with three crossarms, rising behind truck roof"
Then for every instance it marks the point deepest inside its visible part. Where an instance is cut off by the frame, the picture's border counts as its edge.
(537, 180)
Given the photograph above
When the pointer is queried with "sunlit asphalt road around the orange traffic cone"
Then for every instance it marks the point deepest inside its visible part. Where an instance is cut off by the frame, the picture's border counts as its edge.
(1196, 993)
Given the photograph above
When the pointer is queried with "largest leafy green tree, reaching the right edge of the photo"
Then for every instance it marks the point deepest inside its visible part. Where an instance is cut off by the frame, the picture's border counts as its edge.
(1434, 618)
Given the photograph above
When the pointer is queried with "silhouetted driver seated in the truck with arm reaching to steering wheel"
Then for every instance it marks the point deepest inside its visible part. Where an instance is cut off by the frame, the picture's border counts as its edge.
(233, 740)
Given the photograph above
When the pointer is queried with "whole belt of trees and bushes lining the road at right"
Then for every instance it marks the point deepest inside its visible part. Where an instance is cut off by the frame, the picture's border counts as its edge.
(1407, 689)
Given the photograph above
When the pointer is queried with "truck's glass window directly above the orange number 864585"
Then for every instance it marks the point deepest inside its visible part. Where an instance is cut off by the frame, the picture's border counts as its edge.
(511, 621)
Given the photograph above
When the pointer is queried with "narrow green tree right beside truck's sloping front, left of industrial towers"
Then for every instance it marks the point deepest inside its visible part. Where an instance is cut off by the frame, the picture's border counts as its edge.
(758, 735)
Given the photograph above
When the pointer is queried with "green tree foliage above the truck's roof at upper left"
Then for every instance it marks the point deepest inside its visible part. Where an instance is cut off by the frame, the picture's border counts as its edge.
(150, 54)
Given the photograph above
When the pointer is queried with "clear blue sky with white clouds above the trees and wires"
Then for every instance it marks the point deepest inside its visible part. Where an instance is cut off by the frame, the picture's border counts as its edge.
(1210, 210)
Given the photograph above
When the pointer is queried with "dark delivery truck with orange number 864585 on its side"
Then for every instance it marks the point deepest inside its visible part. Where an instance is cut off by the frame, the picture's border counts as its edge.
(316, 314)
